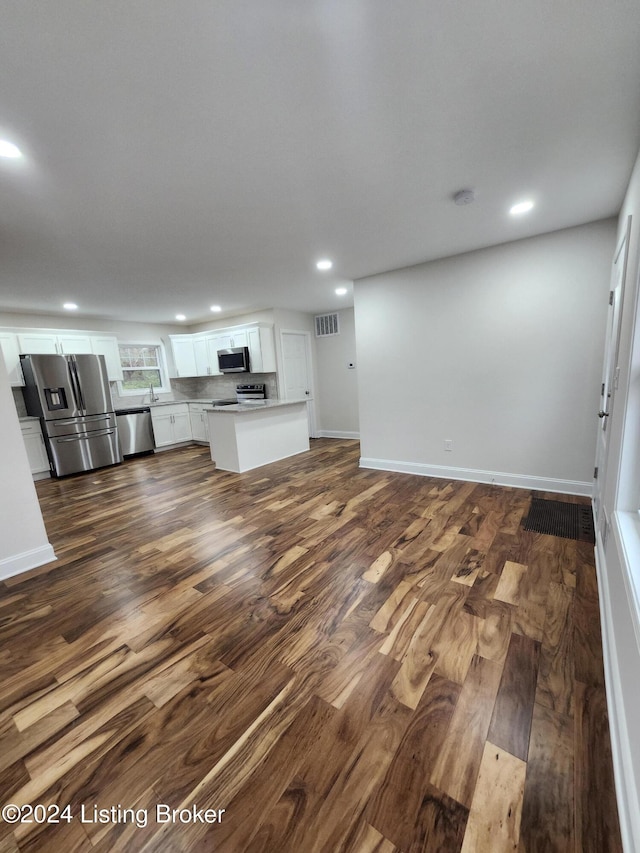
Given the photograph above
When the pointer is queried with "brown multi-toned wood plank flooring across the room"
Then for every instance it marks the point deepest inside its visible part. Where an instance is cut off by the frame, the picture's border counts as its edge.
(340, 659)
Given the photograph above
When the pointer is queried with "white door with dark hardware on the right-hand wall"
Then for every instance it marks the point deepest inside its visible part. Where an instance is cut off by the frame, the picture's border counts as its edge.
(610, 371)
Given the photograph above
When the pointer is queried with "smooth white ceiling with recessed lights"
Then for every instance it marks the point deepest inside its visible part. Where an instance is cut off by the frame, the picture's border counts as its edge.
(184, 152)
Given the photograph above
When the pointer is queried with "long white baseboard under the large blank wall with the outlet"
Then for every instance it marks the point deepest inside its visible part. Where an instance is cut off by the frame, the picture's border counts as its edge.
(473, 475)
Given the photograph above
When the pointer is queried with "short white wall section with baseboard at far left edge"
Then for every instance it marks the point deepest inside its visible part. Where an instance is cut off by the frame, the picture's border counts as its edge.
(23, 538)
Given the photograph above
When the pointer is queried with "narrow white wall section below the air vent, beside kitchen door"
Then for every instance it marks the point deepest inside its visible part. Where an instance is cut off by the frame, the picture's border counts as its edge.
(337, 382)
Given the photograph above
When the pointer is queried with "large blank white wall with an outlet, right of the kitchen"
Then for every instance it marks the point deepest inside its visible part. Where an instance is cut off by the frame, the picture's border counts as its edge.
(499, 351)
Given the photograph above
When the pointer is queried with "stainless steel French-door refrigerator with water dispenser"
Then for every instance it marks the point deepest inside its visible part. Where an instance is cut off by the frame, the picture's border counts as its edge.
(71, 396)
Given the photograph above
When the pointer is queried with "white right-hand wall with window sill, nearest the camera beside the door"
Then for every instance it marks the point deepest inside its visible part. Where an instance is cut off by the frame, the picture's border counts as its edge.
(618, 542)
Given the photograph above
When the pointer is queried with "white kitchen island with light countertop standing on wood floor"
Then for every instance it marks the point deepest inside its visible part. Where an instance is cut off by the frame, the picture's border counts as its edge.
(247, 435)
